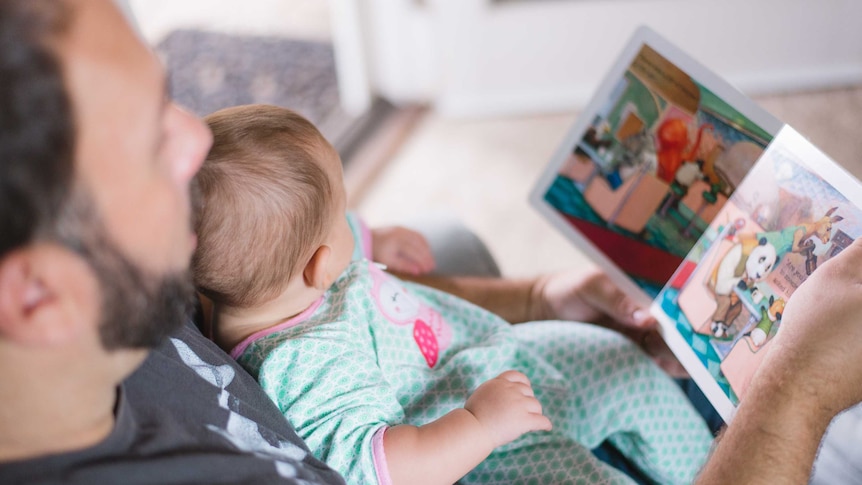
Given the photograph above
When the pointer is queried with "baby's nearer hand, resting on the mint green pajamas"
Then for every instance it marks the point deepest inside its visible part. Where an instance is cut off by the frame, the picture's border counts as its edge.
(507, 408)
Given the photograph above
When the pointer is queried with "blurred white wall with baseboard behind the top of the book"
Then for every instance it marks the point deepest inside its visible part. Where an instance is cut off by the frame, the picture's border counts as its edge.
(475, 57)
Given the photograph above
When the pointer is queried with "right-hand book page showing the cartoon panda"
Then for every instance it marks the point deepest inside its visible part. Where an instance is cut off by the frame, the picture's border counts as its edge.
(719, 313)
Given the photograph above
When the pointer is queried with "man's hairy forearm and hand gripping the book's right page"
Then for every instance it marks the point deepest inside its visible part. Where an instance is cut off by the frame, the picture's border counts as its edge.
(812, 372)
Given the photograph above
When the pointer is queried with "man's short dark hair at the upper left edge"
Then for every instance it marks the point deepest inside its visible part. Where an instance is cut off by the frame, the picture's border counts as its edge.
(37, 136)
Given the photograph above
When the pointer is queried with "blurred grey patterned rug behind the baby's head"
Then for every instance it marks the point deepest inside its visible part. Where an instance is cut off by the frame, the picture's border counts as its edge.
(209, 71)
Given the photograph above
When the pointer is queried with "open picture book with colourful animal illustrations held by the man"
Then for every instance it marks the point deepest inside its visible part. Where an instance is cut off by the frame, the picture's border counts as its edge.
(700, 205)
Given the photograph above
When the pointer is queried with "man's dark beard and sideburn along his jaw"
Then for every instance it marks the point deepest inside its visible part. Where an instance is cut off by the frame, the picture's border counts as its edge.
(138, 309)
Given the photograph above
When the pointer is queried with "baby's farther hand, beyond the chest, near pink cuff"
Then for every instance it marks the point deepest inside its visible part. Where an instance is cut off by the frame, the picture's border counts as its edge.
(401, 250)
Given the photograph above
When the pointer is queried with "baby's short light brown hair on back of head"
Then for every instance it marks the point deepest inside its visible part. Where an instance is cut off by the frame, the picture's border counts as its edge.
(264, 203)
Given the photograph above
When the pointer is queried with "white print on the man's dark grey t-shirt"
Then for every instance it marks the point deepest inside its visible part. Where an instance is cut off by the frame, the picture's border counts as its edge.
(240, 431)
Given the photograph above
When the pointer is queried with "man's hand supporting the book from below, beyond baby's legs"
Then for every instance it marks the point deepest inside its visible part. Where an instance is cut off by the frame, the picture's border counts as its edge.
(592, 297)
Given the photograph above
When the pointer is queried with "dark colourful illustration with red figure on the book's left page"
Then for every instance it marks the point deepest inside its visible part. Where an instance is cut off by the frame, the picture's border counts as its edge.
(654, 167)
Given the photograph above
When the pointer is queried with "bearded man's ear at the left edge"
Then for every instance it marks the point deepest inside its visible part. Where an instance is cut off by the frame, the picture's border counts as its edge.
(46, 293)
